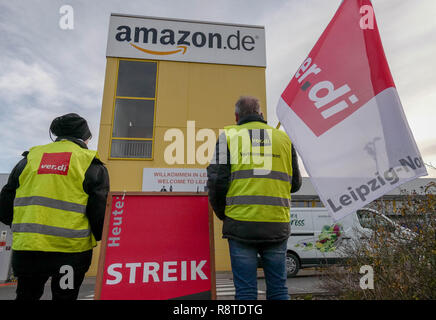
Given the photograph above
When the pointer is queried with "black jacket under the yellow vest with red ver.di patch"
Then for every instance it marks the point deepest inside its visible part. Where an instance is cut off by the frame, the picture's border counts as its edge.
(96, 185)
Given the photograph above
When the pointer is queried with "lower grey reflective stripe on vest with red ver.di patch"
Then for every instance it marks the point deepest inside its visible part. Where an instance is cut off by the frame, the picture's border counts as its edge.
(50, 231)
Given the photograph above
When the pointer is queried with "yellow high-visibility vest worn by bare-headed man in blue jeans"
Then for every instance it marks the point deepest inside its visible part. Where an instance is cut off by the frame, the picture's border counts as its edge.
(261, 173)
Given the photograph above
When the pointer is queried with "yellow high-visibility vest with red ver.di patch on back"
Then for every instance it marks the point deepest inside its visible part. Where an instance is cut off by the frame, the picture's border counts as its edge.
(50, 203)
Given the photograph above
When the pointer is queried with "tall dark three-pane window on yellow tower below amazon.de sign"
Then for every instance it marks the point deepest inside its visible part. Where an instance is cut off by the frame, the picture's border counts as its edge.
(134, 110)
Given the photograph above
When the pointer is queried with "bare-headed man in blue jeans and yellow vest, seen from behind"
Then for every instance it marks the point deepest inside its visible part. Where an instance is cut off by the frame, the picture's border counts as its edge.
(250, 181)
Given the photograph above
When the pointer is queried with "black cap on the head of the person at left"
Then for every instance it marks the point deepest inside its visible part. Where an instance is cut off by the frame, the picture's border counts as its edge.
(70, 125)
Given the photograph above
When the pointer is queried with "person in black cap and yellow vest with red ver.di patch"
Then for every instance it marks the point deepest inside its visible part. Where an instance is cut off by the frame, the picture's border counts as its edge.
(55, 202)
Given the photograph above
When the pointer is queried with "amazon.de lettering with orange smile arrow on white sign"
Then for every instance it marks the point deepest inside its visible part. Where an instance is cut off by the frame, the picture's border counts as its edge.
(180, 40)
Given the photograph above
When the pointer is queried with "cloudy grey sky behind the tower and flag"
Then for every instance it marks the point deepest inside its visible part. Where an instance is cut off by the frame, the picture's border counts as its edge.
(46, 71)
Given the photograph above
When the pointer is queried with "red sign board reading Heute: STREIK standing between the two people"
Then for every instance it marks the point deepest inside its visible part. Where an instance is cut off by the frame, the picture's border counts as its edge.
(156, 247)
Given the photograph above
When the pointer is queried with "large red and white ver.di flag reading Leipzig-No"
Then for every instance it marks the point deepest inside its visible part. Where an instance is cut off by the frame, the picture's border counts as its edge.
(343, 113)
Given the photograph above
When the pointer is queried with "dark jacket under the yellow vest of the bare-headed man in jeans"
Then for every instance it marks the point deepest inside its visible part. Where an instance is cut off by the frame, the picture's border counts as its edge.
(218, 183)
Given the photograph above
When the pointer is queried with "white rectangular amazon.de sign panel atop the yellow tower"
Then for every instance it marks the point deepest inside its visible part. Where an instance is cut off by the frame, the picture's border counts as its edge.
(190, 41)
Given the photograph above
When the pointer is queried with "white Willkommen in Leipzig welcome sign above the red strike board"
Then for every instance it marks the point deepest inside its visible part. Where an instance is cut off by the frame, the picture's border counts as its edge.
(174, 180)
